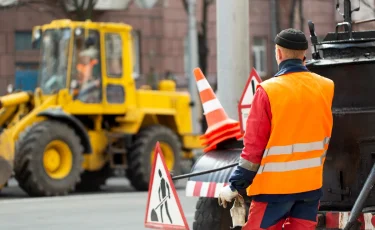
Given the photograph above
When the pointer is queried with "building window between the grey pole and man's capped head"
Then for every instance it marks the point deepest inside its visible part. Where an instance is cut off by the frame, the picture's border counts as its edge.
(259, 55)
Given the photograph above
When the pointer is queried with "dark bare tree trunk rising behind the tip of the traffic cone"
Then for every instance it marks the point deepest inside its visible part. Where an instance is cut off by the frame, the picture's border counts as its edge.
(203, 50)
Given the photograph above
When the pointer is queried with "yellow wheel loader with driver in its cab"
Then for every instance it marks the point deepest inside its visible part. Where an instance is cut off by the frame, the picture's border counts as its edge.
(86, 116)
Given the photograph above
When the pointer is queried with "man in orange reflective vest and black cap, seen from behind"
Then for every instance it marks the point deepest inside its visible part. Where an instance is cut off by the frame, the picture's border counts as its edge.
(286, 138)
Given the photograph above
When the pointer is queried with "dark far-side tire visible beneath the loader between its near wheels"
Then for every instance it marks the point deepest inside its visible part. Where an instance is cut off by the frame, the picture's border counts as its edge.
(92, 180)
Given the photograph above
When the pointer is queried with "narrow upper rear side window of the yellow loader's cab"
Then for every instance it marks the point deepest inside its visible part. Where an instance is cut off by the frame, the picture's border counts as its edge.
(113, 49)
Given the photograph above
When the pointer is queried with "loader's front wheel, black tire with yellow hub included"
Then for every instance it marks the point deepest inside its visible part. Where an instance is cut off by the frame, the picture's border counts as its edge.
(48, 160)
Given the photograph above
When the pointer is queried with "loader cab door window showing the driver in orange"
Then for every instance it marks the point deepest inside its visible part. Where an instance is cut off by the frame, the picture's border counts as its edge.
(86, 68)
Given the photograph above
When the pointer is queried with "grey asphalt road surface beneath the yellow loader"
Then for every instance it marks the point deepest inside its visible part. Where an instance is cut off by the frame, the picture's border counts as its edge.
(117, 207)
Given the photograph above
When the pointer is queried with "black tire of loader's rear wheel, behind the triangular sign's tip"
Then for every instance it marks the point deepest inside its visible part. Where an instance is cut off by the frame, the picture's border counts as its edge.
(139, 165)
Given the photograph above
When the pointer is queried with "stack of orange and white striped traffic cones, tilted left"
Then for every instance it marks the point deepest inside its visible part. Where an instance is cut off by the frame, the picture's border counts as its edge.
(220, 126)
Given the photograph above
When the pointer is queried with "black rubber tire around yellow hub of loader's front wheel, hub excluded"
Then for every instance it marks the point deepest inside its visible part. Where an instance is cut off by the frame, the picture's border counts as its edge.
(29, 169)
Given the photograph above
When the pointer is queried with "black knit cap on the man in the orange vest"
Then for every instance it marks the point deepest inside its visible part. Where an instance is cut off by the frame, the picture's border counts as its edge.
(292, 39)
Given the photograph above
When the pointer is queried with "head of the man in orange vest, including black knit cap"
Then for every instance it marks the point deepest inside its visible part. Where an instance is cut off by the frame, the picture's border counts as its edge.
(290, 44)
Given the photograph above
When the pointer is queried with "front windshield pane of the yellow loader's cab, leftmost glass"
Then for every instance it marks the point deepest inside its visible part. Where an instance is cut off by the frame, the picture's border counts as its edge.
(54, 60)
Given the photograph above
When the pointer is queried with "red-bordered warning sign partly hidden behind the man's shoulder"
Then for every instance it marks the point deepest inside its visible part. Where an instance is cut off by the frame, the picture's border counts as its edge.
(247, 97)
